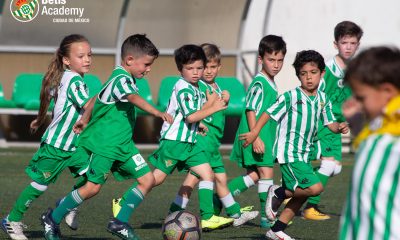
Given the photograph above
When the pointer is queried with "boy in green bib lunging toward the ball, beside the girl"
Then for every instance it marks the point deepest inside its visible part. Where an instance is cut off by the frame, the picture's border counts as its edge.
(107, 140)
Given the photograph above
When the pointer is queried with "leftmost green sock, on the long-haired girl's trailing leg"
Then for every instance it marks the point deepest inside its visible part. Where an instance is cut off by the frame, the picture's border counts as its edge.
(27, 196)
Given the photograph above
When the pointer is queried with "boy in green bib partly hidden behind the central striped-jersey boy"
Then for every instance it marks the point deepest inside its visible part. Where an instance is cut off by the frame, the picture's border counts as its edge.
(211, 141)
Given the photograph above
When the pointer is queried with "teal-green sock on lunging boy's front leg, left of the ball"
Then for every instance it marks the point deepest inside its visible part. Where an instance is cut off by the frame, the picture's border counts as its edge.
(132, 201)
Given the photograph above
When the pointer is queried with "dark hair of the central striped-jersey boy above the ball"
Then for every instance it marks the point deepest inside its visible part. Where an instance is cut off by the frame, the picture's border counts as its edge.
(188, 54)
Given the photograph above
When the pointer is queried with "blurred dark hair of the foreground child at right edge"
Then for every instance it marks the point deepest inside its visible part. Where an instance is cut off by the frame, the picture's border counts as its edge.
(375, 66)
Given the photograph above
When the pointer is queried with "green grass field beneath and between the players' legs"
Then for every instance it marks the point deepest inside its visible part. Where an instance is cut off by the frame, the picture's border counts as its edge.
(147, 220)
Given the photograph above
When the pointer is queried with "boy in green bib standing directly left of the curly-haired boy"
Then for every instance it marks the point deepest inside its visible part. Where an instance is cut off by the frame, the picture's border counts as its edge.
(262, 93)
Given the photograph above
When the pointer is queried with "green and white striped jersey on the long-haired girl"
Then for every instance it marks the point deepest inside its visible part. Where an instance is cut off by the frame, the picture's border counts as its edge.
(72, 96)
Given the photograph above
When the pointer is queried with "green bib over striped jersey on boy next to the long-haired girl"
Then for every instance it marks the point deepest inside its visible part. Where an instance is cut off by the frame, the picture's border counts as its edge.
(110, 130)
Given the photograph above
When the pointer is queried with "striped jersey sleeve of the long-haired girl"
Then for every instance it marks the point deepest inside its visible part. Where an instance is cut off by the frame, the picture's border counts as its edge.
(78, 92)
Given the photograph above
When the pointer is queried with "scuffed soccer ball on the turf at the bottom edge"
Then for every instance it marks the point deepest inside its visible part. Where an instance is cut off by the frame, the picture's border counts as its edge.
(181, 225)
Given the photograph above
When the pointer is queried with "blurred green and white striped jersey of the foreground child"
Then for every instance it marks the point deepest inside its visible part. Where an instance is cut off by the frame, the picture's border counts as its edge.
(372, 209)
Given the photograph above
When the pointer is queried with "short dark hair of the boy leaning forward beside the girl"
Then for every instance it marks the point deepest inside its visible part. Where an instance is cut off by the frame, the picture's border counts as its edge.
(138, 45)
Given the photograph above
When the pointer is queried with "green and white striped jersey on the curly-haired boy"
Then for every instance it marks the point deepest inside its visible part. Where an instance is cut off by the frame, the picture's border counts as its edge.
(297, 115)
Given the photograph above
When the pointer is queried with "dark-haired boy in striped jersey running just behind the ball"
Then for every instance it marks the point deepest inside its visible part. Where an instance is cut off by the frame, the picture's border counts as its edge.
(178, 146)
